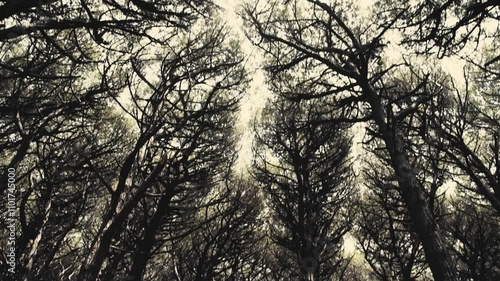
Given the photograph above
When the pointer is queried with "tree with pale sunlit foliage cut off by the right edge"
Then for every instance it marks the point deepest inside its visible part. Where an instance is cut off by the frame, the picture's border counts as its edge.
(466, 129)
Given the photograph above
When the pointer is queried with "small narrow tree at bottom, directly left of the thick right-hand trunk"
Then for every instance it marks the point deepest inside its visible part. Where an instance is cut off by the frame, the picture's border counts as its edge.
(385, 236)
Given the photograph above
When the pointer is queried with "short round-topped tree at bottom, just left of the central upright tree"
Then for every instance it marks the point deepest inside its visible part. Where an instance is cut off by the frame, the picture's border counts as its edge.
(225, 245)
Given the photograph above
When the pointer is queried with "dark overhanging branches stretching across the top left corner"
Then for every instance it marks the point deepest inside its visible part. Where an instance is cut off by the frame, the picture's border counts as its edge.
(100, 21)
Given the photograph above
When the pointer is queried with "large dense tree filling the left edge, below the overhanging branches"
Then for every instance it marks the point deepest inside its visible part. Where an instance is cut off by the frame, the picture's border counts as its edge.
(56, 134)
